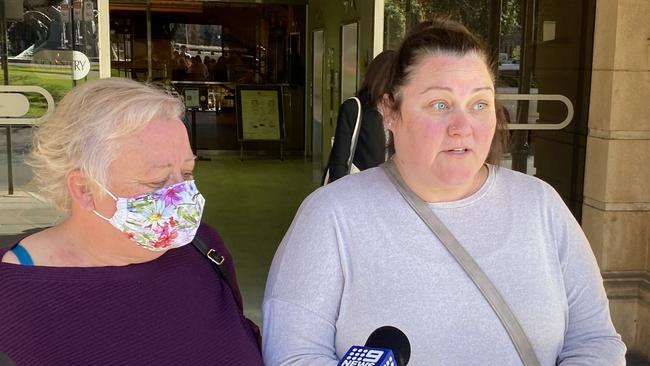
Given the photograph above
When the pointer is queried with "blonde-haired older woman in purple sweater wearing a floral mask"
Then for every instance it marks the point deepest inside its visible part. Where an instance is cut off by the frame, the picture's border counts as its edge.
(117, 281)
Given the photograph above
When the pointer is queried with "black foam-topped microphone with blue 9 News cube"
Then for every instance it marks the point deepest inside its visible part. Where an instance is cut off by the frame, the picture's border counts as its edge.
(386, 346)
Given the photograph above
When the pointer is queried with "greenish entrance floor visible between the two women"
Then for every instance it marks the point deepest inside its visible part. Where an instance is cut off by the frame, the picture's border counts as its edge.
(252, 203)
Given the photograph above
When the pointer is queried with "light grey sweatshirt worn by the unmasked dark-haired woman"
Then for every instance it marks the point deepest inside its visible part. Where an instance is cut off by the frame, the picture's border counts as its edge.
(357, 257)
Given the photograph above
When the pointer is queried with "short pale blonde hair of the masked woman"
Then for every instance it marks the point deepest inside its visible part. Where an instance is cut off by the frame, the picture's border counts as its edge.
(86, 127)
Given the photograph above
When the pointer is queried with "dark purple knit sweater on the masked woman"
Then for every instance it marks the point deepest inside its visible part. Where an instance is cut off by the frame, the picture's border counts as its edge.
(174, 310)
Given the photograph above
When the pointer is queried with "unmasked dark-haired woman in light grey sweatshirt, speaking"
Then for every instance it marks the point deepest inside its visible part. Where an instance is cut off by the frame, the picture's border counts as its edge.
(357, 256)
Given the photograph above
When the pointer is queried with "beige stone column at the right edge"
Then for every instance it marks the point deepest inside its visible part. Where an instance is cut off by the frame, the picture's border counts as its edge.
(616, 211)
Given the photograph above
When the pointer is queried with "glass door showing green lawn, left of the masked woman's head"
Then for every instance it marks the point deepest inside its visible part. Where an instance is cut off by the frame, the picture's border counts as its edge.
(47, 47)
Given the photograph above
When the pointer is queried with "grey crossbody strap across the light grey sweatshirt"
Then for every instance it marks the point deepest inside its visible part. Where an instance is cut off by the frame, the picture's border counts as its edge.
(482, 282)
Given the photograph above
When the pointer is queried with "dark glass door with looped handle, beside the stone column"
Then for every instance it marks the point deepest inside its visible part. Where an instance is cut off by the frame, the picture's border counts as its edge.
(545, 51)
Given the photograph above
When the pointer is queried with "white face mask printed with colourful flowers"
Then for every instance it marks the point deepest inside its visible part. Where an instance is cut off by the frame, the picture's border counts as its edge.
(163, 219)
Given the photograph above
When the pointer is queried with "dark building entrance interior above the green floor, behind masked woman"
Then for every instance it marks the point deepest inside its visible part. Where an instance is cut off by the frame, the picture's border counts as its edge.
(206, 51)
